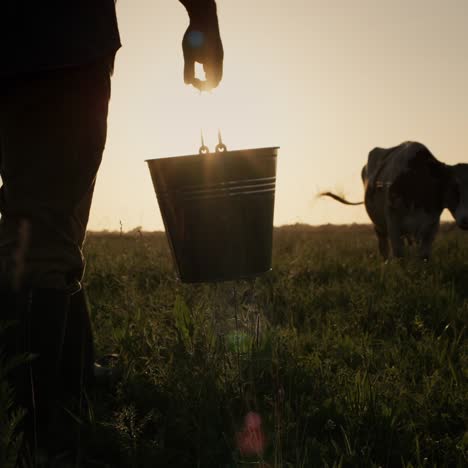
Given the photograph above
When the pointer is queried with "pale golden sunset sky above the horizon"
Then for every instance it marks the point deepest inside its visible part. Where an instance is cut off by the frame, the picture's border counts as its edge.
(326, 80)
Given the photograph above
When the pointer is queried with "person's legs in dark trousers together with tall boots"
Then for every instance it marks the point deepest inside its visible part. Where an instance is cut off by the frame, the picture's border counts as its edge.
(52, 136)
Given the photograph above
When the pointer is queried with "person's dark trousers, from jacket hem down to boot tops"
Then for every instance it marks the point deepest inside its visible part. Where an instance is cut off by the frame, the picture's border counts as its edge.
(52, 135)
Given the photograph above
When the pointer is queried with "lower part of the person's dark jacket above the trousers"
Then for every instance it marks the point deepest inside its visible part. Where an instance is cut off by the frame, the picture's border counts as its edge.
(40, 35)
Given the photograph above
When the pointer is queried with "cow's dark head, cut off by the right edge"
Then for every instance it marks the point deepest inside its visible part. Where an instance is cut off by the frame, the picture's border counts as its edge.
(457, 196)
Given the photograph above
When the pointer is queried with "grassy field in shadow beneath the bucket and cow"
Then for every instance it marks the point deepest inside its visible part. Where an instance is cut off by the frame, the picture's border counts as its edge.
(332, 359)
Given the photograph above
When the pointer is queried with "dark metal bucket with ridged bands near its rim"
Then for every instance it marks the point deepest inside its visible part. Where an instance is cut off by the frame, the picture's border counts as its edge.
(217, 209)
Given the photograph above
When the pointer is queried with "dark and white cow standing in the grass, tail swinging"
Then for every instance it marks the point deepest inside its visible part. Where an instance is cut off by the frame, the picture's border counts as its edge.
(405, 191)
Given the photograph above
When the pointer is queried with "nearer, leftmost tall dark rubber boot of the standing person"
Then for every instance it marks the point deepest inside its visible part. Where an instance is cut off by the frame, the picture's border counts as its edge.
(41, 317)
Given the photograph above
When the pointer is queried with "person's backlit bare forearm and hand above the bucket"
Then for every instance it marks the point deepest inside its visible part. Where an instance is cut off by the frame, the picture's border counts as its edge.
(202, 44)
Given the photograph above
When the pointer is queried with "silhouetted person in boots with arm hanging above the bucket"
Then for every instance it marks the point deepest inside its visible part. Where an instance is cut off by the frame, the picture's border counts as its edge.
(56, 59)
